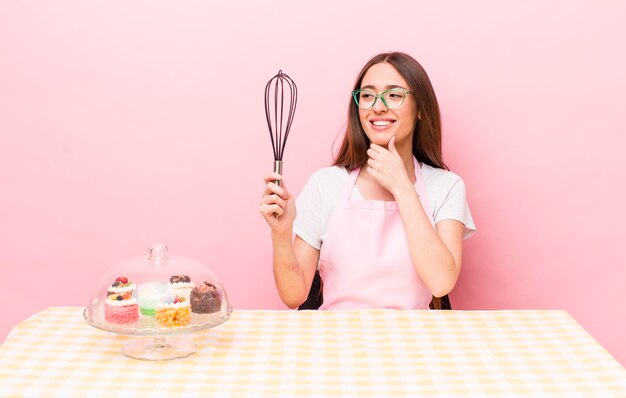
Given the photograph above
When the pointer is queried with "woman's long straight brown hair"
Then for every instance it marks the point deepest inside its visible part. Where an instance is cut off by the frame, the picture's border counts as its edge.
(427, 131)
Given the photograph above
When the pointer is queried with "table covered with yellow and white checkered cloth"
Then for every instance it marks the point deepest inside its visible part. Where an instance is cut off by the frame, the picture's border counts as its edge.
(365, 353)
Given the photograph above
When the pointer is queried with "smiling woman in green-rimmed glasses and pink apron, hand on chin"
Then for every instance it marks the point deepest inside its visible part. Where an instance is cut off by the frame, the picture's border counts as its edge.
(385, 224)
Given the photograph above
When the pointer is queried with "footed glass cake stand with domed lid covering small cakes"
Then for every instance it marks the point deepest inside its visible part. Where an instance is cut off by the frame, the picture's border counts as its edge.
(158, 295)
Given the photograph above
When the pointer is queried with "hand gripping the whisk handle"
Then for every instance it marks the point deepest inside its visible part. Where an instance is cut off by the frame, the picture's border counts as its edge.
(277, 205)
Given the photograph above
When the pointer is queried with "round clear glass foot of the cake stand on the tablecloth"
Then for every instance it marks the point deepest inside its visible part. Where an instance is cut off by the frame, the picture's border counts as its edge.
(159, 349)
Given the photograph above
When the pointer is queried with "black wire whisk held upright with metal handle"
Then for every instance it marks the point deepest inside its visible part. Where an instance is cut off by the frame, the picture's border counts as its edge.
(281, 98)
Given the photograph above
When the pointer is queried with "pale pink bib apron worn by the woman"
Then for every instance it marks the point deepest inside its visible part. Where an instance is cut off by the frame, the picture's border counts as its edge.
(365, 261)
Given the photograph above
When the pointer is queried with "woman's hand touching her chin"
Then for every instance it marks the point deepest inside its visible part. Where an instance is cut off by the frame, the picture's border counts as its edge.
(387, 167)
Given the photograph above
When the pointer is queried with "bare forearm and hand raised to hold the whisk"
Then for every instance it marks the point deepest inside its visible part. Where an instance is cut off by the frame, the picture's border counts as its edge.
(294, 262)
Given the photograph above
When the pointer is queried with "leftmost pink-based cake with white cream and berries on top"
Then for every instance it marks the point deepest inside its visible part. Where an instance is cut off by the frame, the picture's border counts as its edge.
(120, 306)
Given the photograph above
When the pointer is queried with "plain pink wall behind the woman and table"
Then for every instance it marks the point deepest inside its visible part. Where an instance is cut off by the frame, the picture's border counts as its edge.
(124, 123)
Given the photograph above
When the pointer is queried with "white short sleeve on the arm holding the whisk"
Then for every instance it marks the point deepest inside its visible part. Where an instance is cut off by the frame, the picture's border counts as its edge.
(308, 222)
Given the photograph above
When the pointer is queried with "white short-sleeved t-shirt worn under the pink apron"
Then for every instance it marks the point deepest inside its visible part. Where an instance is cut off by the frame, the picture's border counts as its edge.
(445, 192)
